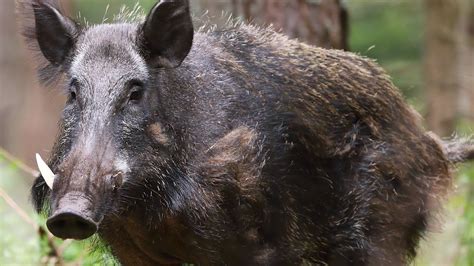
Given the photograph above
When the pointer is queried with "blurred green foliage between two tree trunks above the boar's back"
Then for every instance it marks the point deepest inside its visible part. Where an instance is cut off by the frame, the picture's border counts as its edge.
(391, 33)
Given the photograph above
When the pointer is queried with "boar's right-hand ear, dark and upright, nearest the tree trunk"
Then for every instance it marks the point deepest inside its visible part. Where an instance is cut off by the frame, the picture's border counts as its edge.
(167, 34)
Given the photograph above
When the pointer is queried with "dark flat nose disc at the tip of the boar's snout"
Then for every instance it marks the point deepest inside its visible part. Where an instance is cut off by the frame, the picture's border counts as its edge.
(71, 225)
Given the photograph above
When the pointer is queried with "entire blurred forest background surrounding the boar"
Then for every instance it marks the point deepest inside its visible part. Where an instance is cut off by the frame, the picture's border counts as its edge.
(427, 46)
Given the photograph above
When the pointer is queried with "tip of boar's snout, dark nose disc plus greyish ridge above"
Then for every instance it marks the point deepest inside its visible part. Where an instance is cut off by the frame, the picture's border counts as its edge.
(73, 218)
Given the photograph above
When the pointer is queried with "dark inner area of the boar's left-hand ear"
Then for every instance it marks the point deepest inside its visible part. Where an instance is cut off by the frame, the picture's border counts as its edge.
(54, 32)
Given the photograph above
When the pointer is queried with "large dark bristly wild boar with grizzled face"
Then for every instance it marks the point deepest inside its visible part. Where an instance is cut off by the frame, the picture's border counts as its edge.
(232, 146)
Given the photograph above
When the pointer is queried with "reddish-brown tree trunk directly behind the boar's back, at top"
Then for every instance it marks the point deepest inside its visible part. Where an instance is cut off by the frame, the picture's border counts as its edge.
(322, 23)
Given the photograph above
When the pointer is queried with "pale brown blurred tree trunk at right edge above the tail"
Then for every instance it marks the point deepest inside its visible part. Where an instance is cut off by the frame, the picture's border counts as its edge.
(448, 63)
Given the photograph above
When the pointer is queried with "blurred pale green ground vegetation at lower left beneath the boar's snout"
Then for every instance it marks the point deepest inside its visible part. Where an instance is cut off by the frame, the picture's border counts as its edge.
(22, 242)
